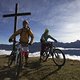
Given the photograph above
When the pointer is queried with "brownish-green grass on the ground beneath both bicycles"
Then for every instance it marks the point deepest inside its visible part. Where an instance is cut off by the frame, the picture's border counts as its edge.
(42, 71)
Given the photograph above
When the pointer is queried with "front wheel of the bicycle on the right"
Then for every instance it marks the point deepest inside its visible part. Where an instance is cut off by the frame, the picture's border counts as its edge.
(58, 57)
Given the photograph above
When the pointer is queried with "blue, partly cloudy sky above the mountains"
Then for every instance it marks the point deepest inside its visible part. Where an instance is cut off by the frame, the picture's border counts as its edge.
(61, 17)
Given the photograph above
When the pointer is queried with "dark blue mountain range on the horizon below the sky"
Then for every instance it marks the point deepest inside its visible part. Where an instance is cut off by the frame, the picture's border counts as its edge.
(36, 46)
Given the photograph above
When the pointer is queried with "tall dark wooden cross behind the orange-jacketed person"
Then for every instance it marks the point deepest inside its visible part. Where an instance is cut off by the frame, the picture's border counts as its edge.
(15, 20)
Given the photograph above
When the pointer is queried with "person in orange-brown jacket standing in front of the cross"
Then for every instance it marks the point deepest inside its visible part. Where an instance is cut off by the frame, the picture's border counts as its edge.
(24, 33)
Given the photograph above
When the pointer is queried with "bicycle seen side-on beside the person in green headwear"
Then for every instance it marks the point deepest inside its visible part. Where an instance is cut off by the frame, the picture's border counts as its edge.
(57, 55)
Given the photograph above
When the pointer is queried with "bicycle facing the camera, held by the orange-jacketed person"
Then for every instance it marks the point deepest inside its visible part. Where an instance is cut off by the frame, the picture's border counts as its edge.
(17, 56)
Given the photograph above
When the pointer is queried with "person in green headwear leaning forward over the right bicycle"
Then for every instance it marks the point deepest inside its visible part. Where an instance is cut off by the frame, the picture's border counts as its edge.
(45, 36)
